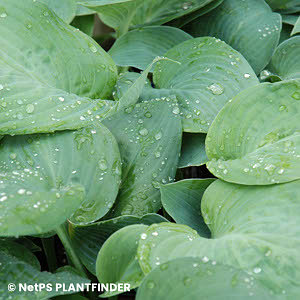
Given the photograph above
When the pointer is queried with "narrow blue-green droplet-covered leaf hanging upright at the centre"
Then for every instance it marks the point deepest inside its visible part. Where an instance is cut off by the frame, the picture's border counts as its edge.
(149, 138)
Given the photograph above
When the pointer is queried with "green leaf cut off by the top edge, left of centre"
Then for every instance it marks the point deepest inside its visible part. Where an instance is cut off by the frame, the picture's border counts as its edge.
(123, 14)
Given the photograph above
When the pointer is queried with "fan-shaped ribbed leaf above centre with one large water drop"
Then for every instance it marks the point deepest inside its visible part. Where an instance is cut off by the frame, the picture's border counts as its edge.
(209, 74)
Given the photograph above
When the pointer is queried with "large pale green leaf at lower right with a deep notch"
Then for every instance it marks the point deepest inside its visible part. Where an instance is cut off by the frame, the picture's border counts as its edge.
(253, 228)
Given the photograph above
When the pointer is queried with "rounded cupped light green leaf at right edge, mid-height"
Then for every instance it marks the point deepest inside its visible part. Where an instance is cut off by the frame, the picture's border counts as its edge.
(255, 139)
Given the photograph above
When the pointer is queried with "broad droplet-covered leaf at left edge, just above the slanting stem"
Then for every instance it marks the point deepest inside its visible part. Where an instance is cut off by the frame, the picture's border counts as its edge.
(40, 176)
